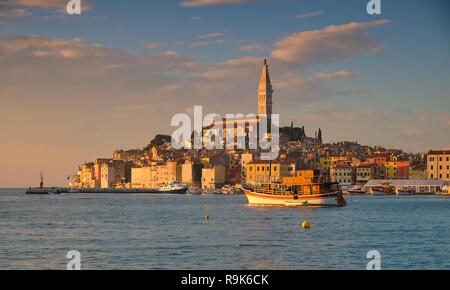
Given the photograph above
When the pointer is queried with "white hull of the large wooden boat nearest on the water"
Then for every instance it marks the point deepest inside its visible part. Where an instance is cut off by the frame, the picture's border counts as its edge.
(319, 200)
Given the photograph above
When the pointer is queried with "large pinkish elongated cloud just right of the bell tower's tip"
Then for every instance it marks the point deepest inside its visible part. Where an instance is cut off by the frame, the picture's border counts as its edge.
(332, 44)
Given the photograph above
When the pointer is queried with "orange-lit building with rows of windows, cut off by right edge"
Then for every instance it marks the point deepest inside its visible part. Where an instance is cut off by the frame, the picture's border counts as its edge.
(438, 164)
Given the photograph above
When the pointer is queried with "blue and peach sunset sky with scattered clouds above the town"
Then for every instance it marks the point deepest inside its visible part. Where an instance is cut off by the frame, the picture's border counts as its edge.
(77, 87)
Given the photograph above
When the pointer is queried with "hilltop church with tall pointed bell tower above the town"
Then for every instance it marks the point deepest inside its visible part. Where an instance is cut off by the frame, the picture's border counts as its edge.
(241, 131)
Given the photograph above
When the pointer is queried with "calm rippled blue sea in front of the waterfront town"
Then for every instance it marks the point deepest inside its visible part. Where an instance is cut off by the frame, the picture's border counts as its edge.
(113, 231)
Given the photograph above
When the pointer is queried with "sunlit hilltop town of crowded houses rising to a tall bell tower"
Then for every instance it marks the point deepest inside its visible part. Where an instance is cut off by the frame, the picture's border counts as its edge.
(347, 163)
